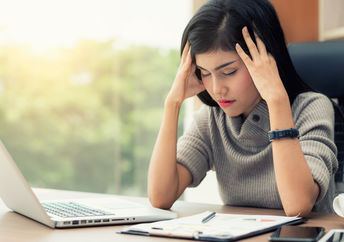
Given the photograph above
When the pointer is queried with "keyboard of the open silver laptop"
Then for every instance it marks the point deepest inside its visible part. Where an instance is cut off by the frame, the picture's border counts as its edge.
(72, 209)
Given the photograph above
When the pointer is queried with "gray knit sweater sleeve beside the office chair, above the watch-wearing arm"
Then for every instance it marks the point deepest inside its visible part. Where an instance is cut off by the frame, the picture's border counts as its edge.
(314, 118)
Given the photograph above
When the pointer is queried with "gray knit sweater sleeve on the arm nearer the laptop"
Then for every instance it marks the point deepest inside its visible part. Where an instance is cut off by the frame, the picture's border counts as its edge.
(193, 147)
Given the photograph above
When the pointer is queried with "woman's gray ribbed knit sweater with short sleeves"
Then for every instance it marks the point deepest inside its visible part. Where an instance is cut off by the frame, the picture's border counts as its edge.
(241, 154)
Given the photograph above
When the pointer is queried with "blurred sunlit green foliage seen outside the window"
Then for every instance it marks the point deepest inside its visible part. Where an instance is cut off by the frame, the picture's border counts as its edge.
(84, 118)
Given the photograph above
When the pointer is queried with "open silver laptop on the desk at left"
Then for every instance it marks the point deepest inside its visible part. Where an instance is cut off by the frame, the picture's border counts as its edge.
(18, 196)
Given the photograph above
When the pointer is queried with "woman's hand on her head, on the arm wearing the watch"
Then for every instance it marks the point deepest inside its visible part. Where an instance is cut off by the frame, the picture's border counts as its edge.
(262, 68)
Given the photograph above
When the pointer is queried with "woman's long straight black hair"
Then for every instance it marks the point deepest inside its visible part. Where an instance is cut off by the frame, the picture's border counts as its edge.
(218, 24)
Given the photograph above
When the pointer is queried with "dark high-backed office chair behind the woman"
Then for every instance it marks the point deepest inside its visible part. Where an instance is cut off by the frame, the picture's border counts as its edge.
(321, 66)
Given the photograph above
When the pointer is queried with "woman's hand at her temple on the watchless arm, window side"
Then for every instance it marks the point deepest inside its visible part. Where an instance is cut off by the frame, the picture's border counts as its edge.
(186, 83)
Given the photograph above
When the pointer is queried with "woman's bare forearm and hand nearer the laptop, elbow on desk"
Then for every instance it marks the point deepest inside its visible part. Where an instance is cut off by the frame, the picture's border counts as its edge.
(167, 179)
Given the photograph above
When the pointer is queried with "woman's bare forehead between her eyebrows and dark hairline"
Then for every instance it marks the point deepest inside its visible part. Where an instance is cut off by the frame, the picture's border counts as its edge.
(212, 59)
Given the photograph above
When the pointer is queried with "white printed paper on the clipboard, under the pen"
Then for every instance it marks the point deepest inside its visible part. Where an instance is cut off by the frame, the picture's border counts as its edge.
(230, 225)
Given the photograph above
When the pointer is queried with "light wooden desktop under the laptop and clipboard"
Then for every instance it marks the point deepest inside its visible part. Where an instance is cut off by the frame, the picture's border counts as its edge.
(15, 227)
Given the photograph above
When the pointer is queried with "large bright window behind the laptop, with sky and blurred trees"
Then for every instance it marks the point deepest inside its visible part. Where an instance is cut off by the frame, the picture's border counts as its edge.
(82, 85)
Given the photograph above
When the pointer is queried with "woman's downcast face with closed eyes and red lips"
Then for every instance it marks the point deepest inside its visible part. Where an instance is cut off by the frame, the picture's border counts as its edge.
(227, 80)
